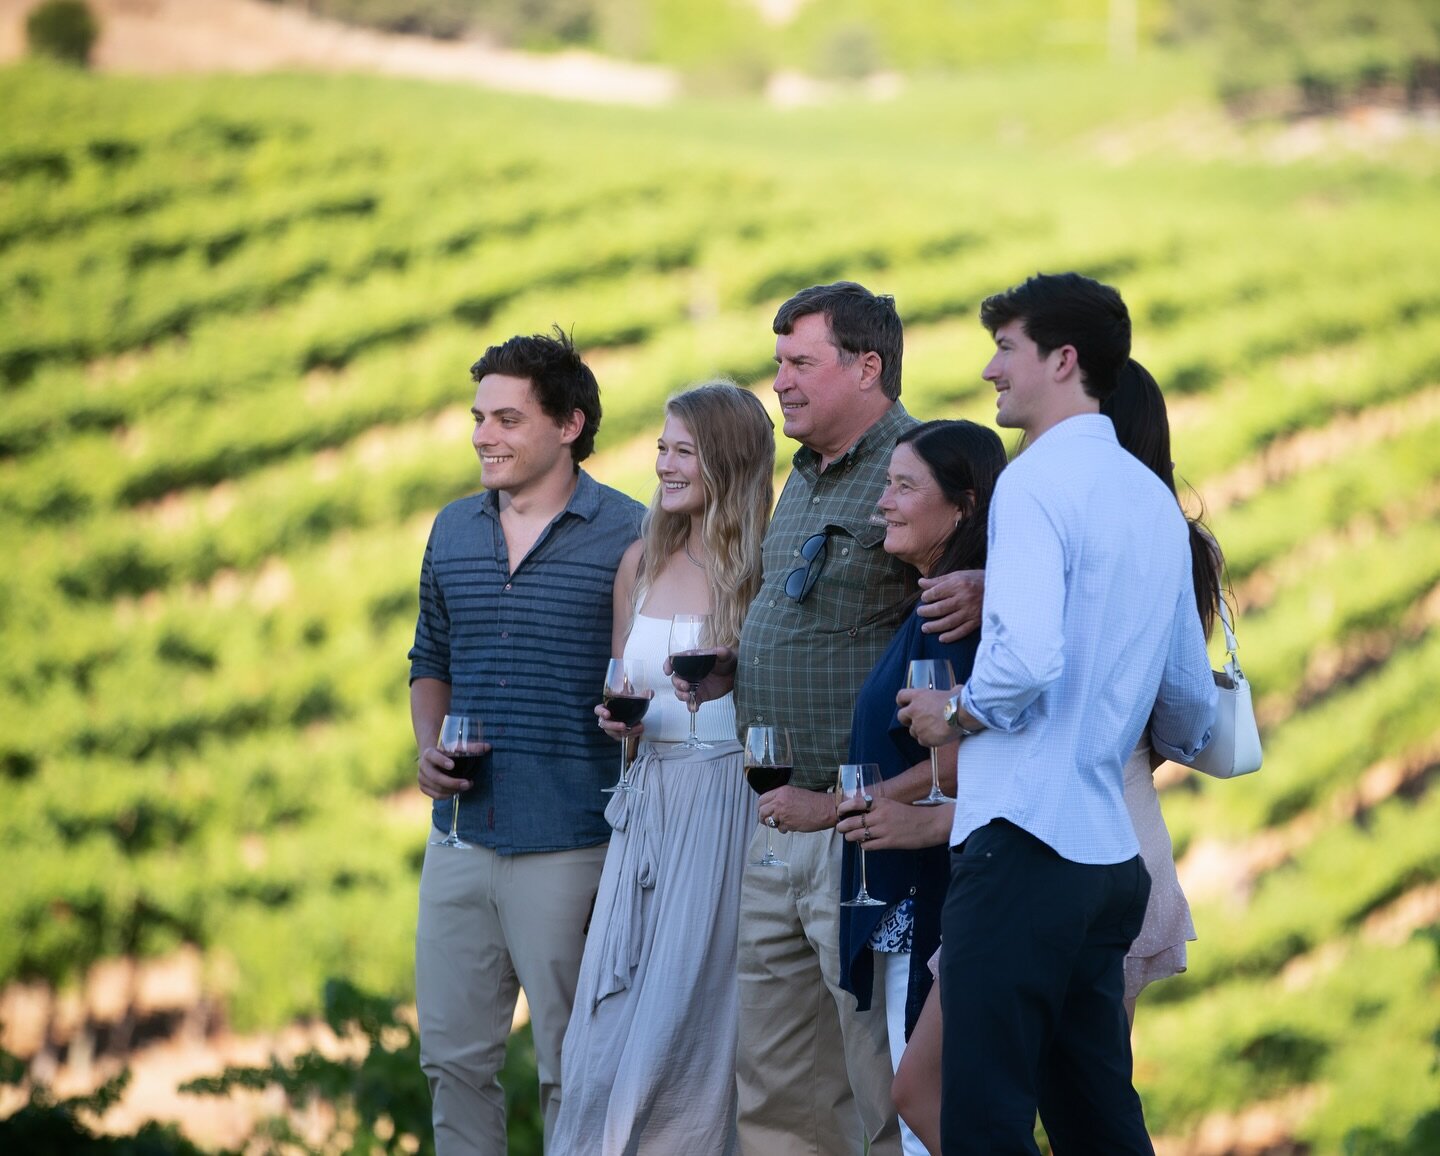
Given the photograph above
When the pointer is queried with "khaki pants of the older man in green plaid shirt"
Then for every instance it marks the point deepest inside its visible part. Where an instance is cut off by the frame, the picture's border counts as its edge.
(813, 1073)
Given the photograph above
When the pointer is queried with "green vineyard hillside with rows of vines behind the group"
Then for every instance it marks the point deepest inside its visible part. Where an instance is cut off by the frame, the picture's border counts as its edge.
(235, 326)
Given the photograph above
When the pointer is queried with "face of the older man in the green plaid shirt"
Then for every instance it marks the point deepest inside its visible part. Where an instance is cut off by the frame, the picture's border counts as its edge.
(826, 401)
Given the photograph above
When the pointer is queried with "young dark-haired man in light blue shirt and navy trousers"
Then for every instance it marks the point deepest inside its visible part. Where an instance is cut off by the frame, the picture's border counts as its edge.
(1089, 637)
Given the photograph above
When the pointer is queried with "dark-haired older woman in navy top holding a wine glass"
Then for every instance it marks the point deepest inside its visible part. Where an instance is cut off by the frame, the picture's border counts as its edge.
(935, 507)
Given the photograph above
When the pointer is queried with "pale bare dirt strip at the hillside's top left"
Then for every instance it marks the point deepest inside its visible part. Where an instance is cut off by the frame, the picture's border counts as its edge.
(257, 37)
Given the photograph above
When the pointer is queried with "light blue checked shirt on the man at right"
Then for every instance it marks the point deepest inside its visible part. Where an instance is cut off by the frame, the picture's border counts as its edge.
(1089, 636)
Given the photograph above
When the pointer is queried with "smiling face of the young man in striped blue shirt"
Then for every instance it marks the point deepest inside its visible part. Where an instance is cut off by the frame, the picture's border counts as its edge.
(519, 446)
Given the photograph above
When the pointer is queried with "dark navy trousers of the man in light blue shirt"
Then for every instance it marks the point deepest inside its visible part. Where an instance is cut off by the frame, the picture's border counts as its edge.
(1032, 987)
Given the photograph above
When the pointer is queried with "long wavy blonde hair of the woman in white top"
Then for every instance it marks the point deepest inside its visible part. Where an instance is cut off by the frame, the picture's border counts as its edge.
(735, 443)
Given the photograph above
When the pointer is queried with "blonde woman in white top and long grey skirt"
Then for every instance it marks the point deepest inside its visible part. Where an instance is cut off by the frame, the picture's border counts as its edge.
(649, 1060)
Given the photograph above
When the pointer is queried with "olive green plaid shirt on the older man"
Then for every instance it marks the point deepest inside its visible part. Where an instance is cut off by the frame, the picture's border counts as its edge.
(801, 663)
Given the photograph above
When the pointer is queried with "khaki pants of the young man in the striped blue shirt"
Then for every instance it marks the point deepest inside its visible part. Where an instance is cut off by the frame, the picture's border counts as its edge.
(489, 926)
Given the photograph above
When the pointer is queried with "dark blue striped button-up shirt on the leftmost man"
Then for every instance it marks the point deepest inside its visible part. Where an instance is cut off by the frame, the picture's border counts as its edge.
(528, 654)
